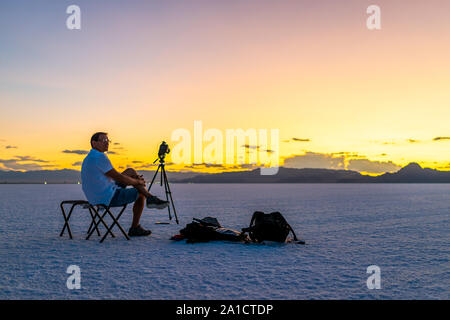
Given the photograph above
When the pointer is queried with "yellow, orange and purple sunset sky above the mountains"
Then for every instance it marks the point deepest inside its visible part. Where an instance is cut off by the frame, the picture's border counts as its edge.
(342, 96)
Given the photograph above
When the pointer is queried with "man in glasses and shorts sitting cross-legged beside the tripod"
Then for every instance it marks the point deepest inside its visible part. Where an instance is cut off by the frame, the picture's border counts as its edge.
(102, 184)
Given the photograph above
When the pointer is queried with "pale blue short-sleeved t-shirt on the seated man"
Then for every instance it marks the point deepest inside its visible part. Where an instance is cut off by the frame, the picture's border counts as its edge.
(97, 187)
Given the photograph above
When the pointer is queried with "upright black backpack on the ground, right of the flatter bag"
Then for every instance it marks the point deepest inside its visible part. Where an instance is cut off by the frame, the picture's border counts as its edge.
(271, 227)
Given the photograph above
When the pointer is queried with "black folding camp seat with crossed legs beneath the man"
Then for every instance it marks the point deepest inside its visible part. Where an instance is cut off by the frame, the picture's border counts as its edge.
(94, 212)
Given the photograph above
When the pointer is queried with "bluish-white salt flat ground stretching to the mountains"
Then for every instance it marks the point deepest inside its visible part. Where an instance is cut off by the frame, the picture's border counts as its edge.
(404, 229)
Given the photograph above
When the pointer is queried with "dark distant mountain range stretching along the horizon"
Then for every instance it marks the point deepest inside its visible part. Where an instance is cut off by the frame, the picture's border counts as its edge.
(412, 173)
